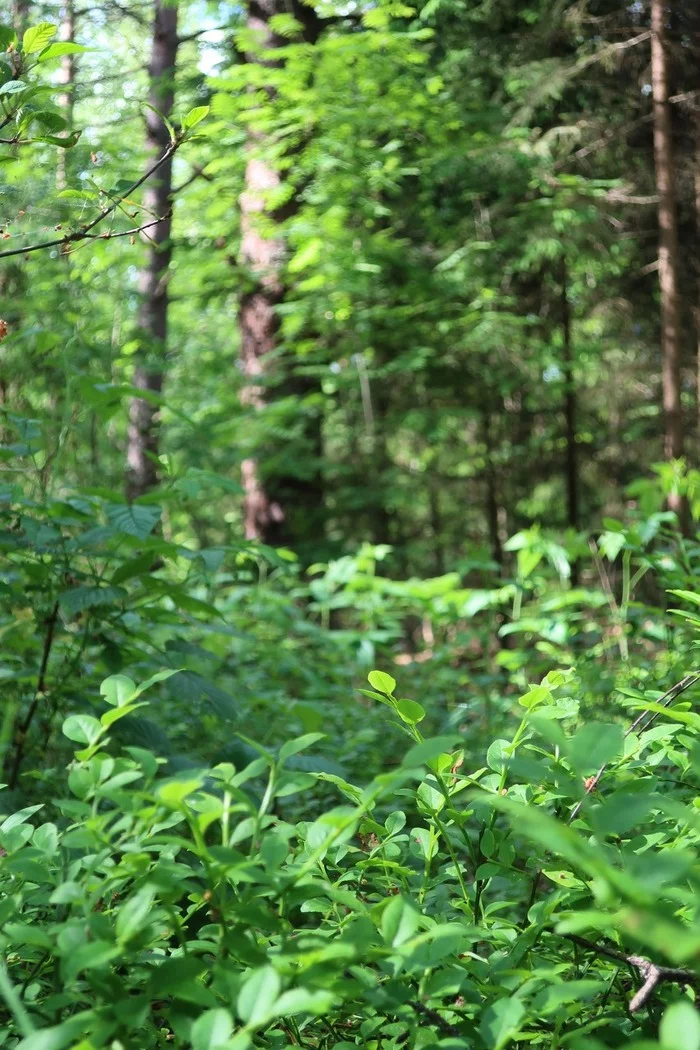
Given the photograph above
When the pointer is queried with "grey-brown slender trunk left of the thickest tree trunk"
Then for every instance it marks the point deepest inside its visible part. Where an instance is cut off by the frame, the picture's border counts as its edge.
(143, 431)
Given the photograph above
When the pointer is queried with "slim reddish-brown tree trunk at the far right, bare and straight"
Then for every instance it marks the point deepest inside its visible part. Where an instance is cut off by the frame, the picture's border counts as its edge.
(669, 260)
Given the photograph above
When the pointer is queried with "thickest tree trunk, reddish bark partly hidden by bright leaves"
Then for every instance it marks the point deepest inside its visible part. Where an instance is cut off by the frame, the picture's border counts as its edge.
(279, 510)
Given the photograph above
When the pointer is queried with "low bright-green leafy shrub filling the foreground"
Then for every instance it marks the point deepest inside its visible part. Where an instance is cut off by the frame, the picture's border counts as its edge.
(526, 901)
